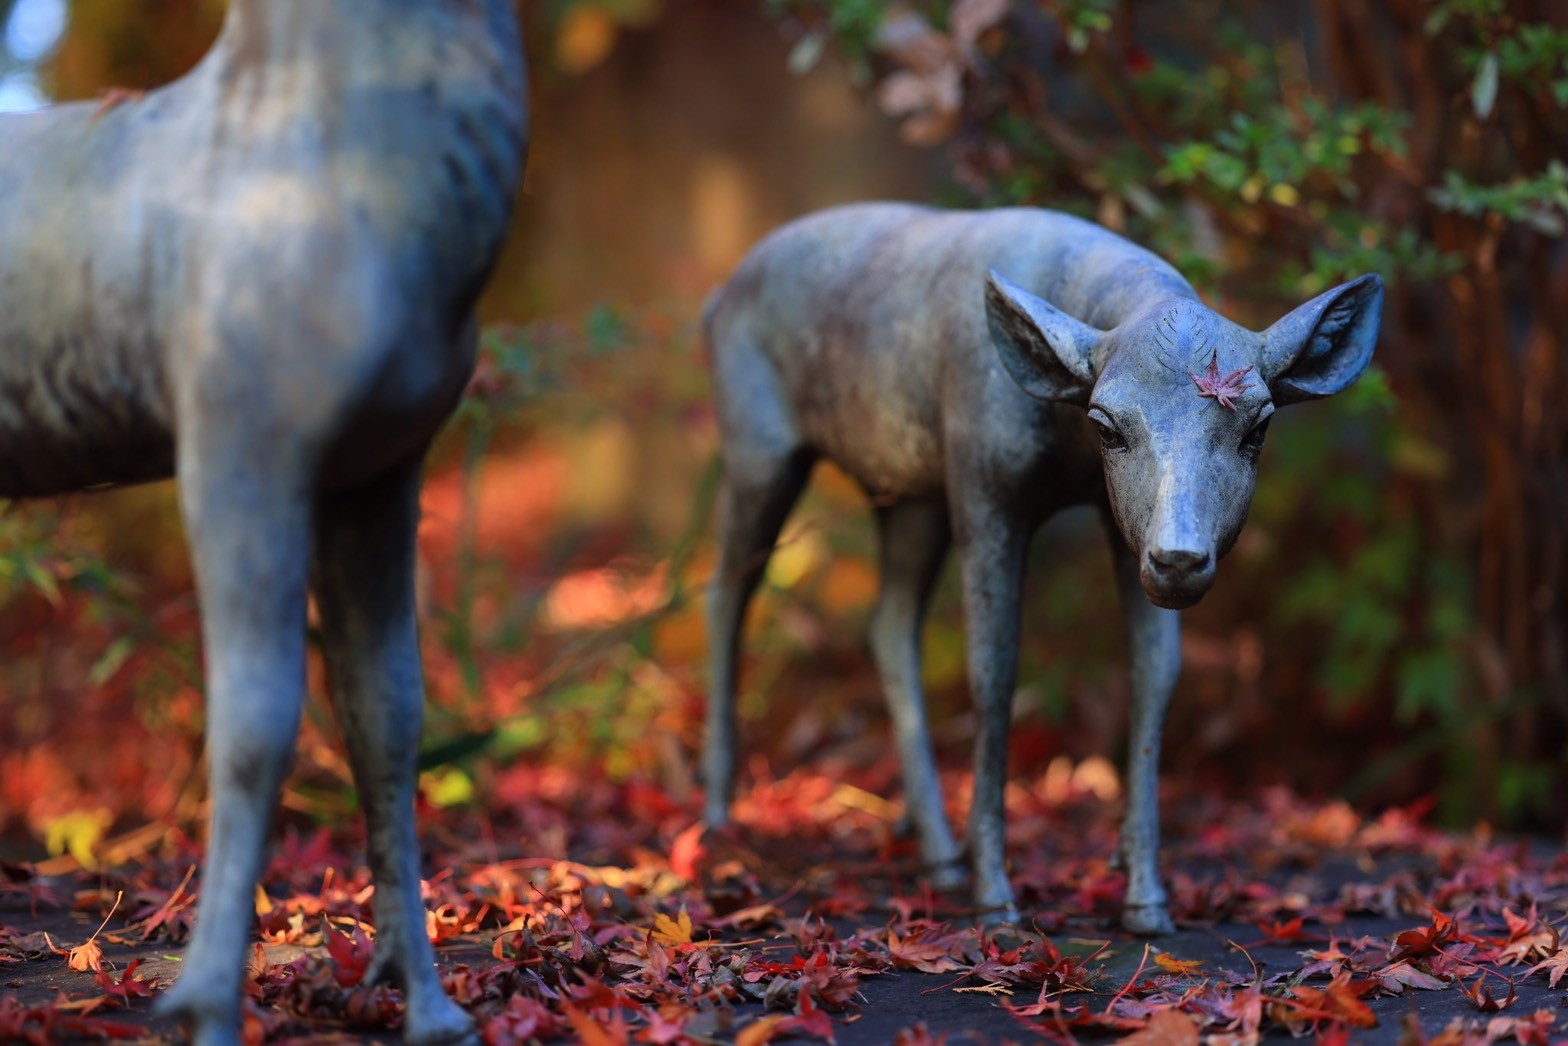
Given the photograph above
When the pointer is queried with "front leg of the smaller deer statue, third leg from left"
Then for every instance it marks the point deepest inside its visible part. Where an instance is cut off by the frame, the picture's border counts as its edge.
(992, 553)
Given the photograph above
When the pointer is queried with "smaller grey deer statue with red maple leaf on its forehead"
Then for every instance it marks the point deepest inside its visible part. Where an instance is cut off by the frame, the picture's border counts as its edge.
(976, 374)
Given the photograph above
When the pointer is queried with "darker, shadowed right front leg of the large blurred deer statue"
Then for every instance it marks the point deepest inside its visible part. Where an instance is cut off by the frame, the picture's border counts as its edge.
(365, 584)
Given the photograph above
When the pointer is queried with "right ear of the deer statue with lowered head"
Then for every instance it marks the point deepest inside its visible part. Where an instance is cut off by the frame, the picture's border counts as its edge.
(1324, 346)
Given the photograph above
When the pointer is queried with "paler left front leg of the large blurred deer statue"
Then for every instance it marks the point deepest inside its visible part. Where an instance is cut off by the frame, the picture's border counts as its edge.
(249, 521)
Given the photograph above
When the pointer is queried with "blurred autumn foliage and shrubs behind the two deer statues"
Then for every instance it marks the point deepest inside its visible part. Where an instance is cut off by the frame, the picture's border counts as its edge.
(1392, 627)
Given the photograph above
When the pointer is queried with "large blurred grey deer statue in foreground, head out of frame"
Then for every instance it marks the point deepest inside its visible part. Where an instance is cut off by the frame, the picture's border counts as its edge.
(261, 280)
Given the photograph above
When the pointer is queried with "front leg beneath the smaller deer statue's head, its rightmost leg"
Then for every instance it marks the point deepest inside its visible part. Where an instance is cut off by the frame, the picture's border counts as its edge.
(1155, 648)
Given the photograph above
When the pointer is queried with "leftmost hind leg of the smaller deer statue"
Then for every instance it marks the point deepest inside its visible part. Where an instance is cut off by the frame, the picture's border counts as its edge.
(758, 495)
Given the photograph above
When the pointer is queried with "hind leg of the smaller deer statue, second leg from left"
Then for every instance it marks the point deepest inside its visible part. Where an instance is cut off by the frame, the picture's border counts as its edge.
(915, 540)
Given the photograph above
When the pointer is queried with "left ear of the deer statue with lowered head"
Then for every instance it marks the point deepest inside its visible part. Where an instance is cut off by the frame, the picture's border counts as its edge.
(1050, 354)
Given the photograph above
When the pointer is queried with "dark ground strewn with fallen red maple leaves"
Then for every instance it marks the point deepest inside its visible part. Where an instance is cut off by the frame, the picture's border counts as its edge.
(808, 923)
